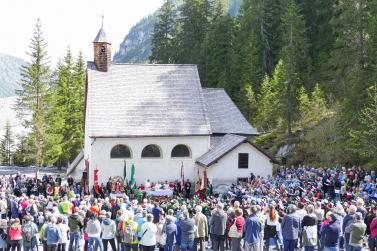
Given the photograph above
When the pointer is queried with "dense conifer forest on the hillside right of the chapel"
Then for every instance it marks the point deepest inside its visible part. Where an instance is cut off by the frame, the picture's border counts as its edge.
(302, 71)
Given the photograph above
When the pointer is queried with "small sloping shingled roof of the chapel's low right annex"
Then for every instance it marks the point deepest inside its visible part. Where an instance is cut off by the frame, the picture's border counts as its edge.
(227, 144)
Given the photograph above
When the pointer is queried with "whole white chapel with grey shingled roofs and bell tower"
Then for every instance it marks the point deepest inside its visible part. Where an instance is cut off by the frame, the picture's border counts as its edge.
(158, 117)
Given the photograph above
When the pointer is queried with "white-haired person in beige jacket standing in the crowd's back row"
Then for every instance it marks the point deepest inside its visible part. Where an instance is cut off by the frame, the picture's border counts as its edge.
(202, 229)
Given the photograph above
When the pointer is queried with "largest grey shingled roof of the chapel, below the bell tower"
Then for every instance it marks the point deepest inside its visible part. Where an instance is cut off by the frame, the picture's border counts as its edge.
(145, 100)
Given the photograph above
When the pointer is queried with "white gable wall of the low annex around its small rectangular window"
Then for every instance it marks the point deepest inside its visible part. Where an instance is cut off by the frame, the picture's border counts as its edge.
(226, 169)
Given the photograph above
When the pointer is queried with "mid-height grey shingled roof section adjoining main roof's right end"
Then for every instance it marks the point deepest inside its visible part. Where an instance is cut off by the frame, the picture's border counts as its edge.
(224, 115)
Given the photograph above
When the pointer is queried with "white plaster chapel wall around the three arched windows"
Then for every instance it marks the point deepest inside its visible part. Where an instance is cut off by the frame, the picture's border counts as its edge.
(155, 169)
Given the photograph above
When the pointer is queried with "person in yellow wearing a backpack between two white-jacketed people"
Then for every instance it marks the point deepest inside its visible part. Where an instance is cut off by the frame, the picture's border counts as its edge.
(128, 233)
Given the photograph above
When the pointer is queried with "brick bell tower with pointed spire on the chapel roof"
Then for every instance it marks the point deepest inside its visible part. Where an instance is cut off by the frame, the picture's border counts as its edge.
(102, 50)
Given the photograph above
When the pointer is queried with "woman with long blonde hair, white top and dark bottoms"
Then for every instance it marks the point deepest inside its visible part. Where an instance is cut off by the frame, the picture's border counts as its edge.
(272, 227)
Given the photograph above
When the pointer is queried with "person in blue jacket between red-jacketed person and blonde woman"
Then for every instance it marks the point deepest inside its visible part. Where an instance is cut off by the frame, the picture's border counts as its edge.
(252, 231)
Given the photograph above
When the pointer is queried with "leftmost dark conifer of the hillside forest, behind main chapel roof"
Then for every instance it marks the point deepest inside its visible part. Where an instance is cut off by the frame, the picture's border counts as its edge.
(163, 35)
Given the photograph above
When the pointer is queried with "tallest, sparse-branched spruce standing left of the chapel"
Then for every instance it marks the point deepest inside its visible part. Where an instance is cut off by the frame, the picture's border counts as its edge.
(31, 97)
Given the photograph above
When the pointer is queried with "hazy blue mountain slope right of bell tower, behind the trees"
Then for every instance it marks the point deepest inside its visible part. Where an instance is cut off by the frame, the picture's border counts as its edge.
(136, 46)
